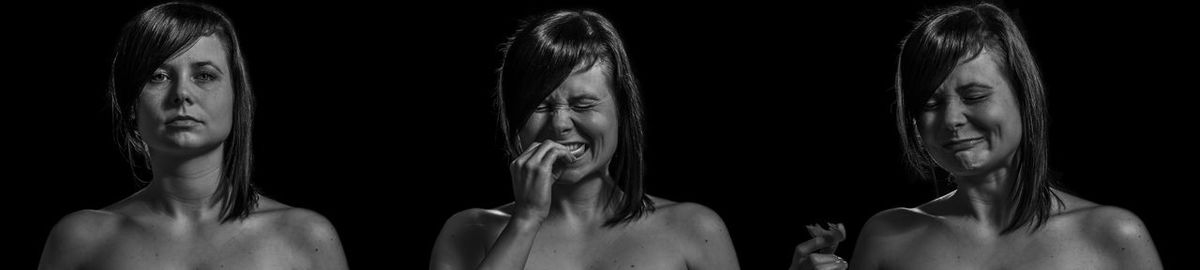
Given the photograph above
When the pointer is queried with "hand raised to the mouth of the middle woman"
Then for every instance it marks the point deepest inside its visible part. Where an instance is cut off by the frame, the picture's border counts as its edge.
(532, 178)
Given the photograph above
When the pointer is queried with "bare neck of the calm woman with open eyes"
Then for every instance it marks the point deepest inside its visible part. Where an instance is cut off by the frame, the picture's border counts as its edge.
(184, 185)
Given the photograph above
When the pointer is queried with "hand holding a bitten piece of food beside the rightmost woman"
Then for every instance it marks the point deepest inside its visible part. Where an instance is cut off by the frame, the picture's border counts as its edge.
(818, 253)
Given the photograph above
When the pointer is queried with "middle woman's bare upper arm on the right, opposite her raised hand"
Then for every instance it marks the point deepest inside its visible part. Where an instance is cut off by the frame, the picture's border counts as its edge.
(712, 237)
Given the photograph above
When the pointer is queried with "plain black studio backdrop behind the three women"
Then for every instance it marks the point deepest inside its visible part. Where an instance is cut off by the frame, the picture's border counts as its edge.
(776, 116)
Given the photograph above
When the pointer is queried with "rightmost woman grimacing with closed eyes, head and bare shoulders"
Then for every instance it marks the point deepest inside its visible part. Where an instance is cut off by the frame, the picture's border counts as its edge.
(971, 105)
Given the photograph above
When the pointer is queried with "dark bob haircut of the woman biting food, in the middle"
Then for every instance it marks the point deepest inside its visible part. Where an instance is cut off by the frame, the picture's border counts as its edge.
(538, 59)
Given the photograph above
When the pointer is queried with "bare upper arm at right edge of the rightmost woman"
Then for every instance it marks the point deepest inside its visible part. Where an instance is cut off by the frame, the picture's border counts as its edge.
(1127, 238)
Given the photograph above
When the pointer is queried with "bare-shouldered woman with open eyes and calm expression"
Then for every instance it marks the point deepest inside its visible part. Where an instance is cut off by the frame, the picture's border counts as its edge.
(182, 111)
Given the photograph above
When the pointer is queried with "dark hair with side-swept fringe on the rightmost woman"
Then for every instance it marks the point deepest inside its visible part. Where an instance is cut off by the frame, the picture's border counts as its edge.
(949, 38)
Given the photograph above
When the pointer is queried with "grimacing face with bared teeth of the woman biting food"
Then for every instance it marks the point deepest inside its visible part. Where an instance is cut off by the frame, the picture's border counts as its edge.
(581, 115)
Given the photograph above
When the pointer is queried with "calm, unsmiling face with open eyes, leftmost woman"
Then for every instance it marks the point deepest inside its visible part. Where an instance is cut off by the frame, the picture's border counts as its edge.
(188, 104)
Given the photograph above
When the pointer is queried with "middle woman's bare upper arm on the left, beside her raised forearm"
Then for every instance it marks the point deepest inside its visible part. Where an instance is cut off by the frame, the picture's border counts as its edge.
(461, 243)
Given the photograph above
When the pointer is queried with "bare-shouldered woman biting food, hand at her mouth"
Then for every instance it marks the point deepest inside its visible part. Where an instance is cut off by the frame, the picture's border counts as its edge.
(572, 117)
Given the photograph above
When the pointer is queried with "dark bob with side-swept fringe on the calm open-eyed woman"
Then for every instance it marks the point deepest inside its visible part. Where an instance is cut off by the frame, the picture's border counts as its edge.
(149, 40)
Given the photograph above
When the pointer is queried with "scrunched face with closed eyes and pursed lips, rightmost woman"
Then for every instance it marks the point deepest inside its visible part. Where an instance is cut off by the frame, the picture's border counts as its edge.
(971, 124)
